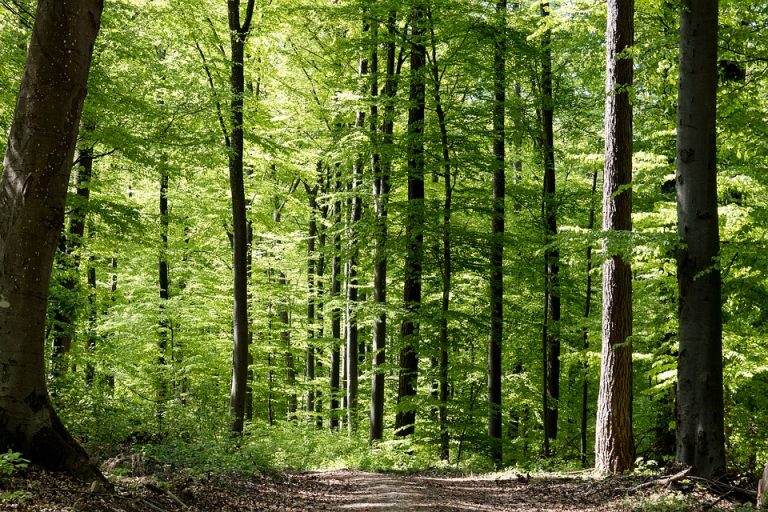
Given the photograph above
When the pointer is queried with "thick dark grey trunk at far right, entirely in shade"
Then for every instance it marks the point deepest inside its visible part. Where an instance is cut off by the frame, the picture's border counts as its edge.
(700, 437)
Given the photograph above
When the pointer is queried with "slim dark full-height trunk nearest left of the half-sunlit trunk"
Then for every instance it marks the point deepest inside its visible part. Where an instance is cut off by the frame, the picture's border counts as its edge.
(551, 253)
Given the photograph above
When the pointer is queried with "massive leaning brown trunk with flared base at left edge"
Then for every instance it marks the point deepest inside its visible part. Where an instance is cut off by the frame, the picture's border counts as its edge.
(33, 190)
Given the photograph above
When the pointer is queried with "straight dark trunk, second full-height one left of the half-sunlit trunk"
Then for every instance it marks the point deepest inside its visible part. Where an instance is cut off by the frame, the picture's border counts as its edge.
(497, 236)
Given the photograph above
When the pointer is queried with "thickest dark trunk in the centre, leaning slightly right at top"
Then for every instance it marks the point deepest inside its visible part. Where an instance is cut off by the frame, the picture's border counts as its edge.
(414, 231)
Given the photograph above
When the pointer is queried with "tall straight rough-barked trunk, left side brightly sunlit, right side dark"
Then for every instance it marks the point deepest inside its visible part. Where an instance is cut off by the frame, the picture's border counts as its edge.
(614, 445)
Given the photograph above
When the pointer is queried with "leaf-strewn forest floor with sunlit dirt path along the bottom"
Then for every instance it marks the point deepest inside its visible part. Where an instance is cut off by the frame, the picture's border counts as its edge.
(346, 490)
